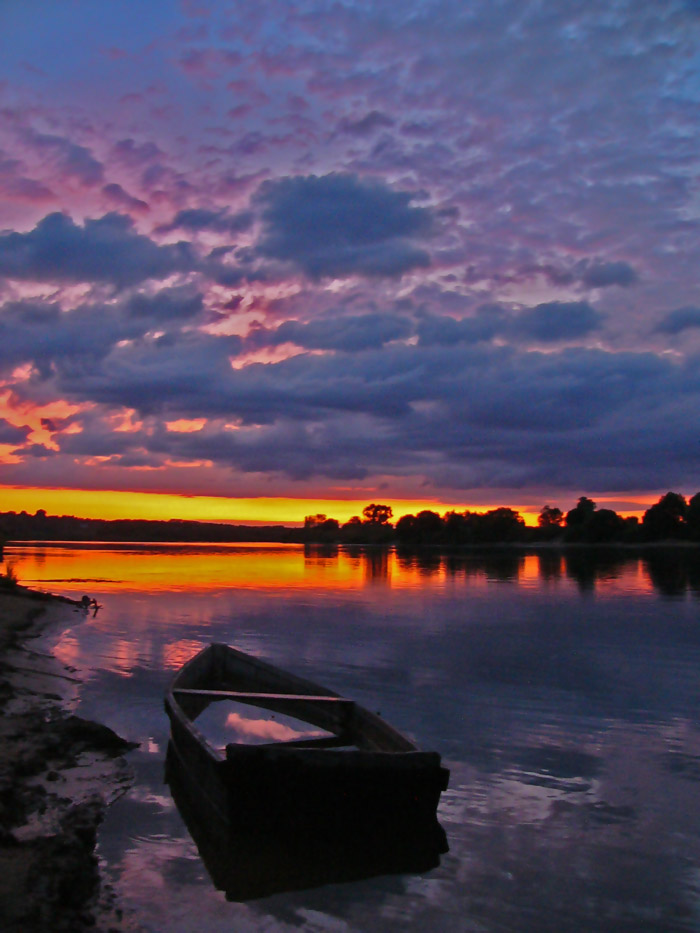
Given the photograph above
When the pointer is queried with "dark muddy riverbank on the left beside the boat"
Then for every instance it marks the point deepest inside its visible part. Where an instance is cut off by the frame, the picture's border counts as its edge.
(58, 773)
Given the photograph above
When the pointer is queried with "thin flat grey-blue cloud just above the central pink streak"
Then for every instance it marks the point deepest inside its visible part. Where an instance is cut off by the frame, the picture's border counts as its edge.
(349, 333)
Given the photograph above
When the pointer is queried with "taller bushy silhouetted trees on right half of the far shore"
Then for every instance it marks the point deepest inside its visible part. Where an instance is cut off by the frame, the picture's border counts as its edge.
(671, 518)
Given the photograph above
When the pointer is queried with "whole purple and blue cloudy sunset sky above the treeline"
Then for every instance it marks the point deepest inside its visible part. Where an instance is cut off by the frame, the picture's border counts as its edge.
(267, 257)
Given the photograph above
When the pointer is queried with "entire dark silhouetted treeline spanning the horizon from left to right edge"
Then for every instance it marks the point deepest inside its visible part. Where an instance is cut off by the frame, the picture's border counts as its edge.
(671, 518)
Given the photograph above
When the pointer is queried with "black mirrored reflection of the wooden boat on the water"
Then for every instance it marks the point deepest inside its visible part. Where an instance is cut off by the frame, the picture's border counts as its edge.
(246, 863)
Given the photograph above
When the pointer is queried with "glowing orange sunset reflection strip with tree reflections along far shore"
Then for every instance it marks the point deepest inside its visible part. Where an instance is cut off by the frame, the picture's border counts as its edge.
(108, 567)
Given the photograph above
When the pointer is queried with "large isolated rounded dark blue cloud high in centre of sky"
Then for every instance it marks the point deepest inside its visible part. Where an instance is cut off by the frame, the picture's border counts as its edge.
(340, 225)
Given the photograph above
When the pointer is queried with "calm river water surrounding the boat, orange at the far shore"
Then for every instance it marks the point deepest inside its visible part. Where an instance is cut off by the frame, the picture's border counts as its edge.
(563, 694)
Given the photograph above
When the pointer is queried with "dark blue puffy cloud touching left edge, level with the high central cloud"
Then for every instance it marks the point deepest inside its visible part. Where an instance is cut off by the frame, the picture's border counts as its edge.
(107, 249)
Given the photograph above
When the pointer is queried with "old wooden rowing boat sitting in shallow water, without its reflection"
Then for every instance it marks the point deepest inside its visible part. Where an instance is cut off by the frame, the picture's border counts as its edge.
(360, 771)
